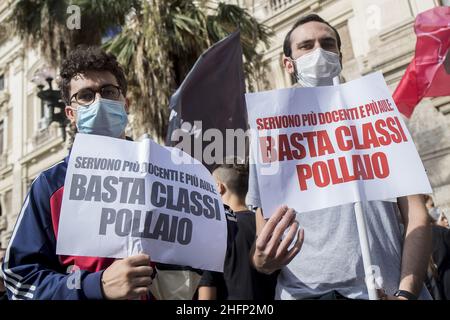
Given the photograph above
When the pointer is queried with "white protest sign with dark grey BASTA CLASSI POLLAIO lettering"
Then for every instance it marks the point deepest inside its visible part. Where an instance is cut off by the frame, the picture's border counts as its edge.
(140, 197)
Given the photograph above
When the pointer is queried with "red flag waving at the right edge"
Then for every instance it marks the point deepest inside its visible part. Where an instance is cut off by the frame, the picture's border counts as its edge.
(428, 74)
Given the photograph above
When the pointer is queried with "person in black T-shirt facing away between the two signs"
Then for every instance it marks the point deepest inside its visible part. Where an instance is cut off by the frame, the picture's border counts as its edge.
(240, 281)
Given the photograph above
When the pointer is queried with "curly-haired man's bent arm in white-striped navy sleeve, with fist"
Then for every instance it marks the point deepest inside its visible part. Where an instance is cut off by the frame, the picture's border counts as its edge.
(31, 268)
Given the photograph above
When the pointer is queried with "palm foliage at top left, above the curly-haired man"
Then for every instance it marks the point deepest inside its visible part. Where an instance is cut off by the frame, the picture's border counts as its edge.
(43, 23)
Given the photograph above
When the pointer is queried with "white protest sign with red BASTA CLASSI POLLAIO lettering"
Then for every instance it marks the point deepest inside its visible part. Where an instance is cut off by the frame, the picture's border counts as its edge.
(326, 146)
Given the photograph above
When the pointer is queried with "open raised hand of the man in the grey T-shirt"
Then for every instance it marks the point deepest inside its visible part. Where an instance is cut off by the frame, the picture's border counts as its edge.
(271, 250)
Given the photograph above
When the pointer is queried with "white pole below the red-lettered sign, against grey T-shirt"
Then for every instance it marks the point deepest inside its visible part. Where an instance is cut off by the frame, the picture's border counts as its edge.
(365, 250)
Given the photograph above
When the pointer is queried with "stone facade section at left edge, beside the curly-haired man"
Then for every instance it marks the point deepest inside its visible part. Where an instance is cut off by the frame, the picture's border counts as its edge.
(27, 144)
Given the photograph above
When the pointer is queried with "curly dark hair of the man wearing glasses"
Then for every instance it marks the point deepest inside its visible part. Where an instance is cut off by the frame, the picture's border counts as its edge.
(91, 58)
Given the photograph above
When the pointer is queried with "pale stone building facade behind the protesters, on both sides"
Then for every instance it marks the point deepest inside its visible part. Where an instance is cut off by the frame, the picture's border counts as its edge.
(376, 35)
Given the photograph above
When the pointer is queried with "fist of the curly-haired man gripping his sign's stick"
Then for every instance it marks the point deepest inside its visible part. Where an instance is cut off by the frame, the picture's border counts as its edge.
(129, 278)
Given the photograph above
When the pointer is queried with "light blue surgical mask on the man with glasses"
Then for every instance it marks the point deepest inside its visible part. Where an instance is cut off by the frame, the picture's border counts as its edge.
(104, 117)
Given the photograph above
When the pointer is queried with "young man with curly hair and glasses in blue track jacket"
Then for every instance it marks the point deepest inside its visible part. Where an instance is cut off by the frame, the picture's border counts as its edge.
(93, 87)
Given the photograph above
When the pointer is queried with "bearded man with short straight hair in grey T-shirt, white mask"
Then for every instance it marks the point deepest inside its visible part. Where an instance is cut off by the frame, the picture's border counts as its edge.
(330, 264)
